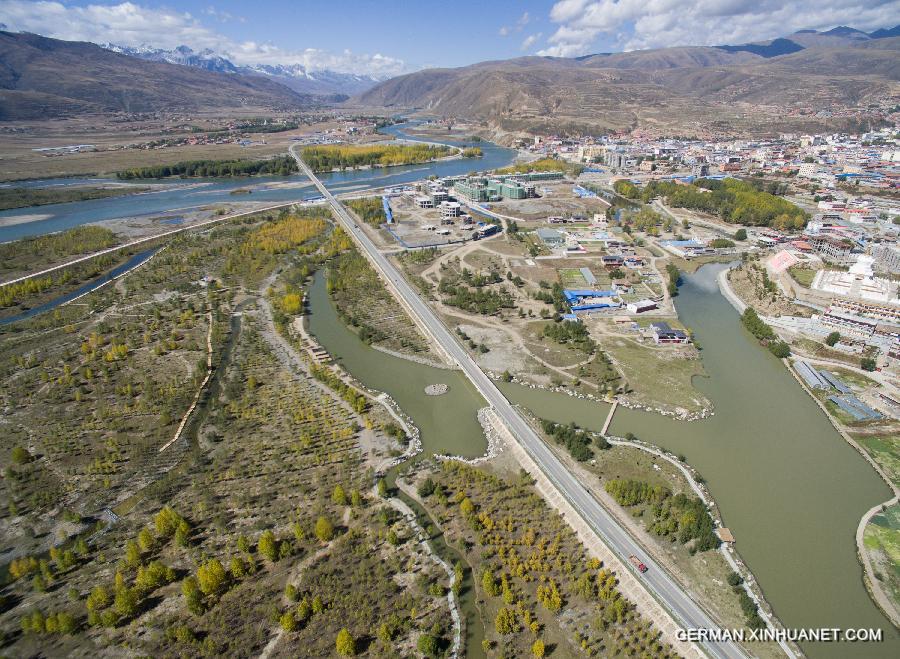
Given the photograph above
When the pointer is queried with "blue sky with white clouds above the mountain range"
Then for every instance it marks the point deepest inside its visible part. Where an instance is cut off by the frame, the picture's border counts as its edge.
(387, 37)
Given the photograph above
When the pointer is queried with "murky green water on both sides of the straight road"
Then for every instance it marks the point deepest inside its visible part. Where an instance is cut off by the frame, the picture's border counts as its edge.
(787, 484)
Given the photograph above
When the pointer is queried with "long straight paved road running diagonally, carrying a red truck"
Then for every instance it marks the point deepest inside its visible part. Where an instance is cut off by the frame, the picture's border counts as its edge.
(679, 603)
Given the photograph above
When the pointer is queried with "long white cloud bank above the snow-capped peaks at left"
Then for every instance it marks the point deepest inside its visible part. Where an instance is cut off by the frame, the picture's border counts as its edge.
(130, 24)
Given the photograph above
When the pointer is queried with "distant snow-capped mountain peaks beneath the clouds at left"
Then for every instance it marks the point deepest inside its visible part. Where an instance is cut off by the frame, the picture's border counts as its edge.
(294, 76)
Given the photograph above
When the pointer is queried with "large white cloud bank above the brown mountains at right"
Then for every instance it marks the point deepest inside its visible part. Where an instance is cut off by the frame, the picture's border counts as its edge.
(635, 24)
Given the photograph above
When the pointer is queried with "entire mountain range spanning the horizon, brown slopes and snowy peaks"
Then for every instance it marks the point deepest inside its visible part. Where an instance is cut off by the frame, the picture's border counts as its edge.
(811, 81)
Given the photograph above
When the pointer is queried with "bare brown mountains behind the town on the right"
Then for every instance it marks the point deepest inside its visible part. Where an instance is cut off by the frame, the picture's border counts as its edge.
(808, 81)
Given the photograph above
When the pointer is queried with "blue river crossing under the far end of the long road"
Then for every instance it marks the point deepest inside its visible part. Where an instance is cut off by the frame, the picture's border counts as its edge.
(182, 195)
